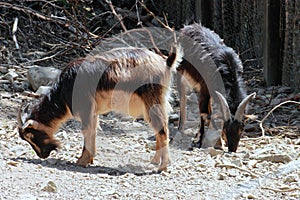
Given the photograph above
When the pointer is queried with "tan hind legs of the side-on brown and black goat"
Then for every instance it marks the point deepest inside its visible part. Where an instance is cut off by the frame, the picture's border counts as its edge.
(159, 121)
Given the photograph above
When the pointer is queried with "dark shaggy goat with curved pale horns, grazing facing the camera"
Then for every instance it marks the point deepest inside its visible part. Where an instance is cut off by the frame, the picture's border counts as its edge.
(230, 67)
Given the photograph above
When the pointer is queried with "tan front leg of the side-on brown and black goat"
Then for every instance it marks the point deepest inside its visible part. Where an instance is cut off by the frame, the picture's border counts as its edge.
(89, 127)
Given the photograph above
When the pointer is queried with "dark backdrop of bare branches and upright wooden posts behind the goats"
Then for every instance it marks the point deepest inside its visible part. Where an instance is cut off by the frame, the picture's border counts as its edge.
(264, 33)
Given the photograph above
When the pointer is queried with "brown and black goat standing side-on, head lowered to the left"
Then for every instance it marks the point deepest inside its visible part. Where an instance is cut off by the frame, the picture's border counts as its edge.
(133, 81)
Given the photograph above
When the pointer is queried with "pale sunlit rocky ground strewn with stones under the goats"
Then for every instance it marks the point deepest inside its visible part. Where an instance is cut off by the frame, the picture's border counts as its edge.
(263, 168)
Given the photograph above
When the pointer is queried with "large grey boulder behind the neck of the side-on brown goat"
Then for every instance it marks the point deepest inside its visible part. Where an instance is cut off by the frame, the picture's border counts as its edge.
(42, 76)
